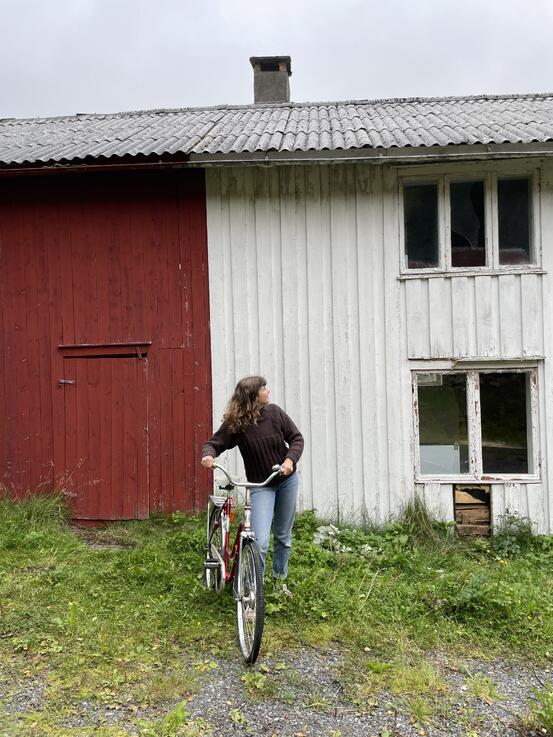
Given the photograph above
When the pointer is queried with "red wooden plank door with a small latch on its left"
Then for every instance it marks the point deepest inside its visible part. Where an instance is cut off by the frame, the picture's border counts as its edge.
(106, 435)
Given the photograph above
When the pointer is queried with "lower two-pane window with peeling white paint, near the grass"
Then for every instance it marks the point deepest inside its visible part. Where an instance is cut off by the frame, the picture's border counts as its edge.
(475, 424)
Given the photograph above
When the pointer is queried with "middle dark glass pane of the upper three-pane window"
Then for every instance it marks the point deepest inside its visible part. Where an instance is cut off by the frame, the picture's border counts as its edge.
(468, 244)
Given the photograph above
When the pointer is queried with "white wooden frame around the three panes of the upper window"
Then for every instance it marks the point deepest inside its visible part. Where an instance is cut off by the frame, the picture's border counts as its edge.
(489, 173)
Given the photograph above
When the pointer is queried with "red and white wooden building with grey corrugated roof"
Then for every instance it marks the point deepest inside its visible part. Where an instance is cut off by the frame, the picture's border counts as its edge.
(385, 264)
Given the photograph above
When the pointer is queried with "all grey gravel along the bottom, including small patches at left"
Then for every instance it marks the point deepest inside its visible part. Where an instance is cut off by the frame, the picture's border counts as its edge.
(300, 694)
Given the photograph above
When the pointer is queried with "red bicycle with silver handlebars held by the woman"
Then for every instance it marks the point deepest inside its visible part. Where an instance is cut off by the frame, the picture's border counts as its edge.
(246, 574)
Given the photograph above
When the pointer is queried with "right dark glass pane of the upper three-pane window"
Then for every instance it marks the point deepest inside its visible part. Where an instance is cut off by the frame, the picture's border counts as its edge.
(513, 209)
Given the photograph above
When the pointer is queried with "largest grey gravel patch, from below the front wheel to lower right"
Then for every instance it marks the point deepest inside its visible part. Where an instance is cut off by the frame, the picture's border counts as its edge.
(309, 700)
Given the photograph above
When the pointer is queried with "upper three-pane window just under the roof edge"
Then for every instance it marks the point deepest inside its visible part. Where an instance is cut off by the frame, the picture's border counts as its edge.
(466, 222)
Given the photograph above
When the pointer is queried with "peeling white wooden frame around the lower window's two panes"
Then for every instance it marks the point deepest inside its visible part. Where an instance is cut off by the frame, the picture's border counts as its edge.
(476, 473)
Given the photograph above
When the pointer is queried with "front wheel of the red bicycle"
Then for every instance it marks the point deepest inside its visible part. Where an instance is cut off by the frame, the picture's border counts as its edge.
(250, 605)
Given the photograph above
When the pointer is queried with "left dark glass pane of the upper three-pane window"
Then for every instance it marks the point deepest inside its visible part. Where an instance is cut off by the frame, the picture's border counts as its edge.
(420, 206)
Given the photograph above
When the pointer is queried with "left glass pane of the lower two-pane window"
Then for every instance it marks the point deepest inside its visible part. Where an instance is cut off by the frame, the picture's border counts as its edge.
(443, 424)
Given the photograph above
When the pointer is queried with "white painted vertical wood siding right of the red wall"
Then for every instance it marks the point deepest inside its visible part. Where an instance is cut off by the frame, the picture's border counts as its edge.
(305, 289)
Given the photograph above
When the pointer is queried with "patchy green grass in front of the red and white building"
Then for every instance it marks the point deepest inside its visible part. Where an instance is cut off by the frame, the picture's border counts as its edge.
(126, 626)
